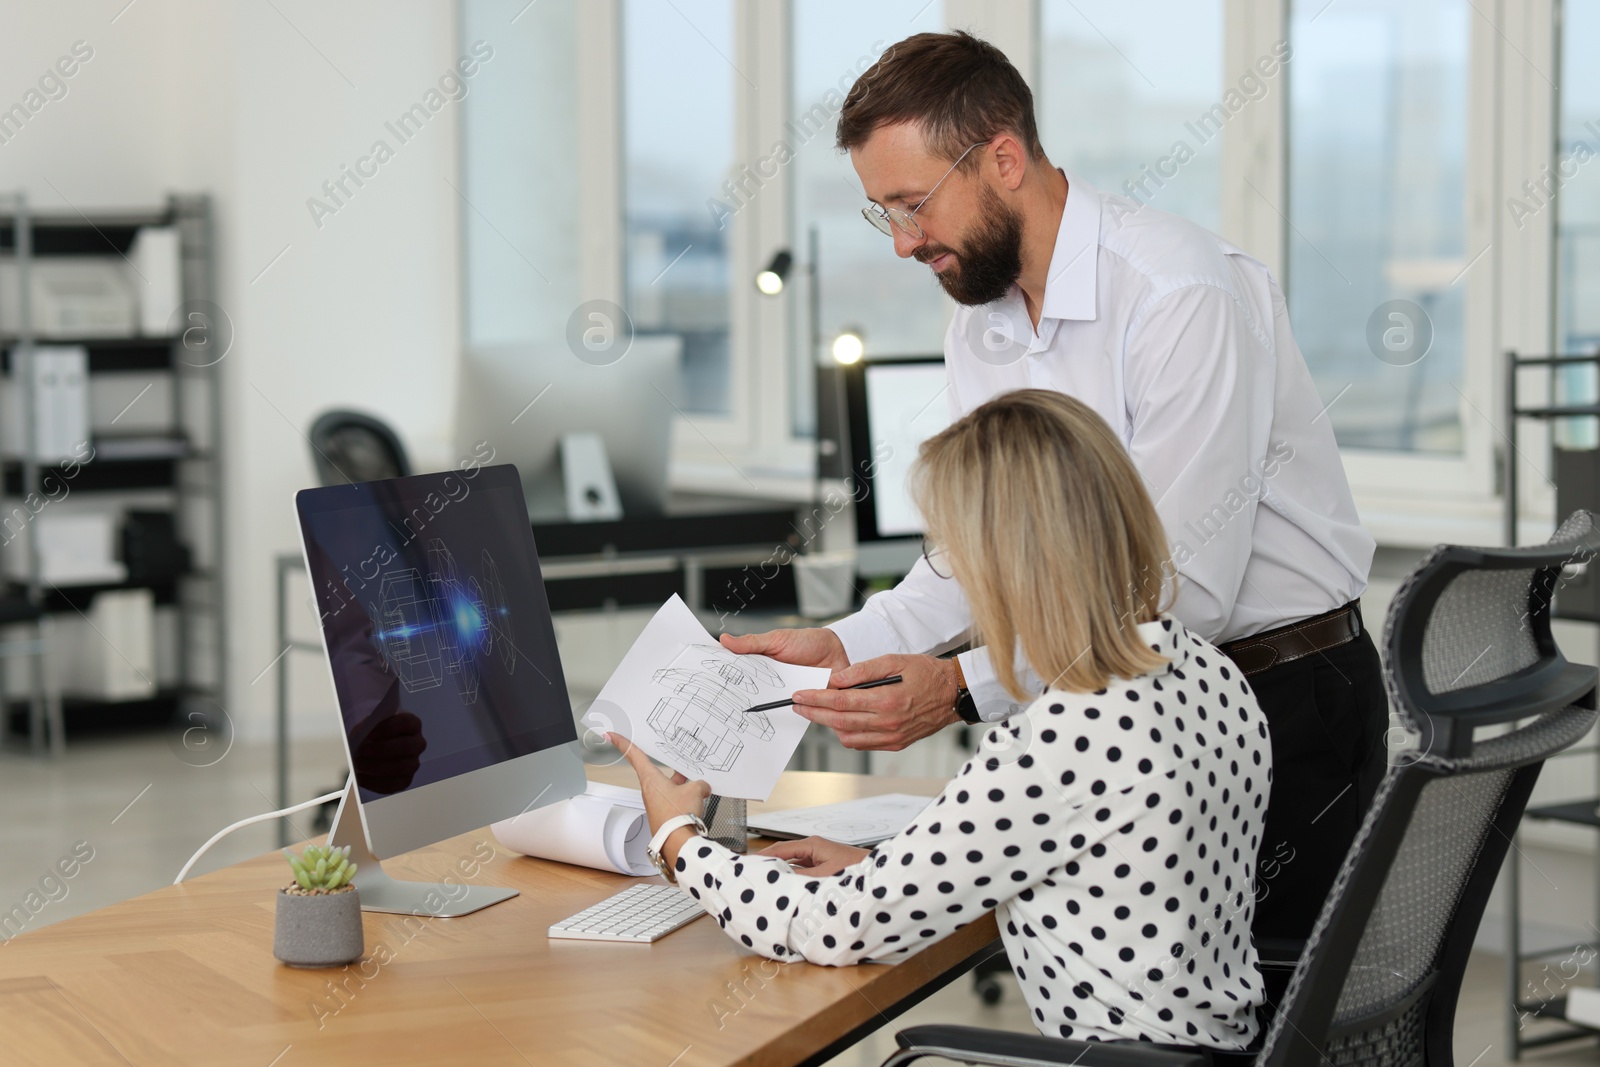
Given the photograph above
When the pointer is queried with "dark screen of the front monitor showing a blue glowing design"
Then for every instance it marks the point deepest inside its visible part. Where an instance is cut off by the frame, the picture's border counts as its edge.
(438, 628)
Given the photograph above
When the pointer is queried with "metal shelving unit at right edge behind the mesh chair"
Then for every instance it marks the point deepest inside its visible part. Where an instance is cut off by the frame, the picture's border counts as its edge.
(1572, 813)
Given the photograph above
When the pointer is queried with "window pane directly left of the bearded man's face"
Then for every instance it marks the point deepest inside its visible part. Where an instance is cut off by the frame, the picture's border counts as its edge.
(897, 306)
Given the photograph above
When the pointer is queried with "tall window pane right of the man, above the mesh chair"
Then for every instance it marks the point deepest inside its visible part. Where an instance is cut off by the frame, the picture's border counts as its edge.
(1377, 209)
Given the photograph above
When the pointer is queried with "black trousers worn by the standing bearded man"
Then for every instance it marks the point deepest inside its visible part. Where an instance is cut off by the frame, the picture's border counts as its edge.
(1327, 714)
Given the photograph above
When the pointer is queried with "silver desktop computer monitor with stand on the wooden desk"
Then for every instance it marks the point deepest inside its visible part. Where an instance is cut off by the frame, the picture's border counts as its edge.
(444, 665)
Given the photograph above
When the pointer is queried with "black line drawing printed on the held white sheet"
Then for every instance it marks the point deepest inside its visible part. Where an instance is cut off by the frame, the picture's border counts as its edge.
(703, 717)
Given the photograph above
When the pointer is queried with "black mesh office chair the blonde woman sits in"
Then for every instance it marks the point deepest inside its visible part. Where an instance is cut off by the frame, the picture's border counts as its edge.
(1468, 645)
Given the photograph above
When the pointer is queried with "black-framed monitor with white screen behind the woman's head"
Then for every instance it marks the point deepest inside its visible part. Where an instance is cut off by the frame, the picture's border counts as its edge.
(895, 406)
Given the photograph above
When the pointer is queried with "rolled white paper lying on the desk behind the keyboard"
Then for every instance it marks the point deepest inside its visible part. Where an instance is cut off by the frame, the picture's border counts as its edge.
(602, 828)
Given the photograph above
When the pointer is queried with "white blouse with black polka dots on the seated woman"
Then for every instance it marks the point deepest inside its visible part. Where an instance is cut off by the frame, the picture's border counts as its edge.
(1113, 834)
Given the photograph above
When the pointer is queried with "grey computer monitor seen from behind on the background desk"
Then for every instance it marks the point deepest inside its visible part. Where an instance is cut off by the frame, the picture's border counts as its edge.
(524, 399)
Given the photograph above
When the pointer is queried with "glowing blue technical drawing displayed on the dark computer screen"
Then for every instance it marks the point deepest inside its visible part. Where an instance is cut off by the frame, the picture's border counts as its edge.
(433, 626)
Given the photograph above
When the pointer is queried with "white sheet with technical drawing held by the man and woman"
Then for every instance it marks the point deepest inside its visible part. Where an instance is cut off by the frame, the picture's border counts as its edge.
(682, 698)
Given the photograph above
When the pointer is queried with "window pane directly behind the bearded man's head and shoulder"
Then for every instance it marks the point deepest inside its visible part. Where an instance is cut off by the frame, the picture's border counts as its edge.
(1127, 97)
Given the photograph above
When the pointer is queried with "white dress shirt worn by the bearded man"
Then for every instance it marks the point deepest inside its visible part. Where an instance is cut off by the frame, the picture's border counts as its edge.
(1183, 345)
